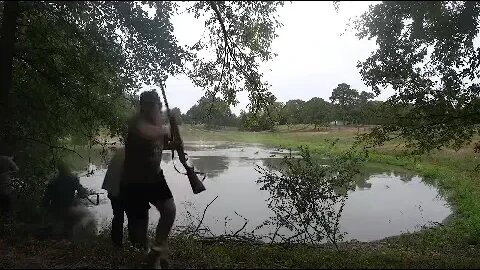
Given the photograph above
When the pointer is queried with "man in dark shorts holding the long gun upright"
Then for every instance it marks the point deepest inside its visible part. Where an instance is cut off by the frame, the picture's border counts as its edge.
(144, 179)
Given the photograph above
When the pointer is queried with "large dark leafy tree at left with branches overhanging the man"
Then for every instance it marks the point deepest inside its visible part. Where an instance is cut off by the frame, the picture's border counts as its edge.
(71, 68)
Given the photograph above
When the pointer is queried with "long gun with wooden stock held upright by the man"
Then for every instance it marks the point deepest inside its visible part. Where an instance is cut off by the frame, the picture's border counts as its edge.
(176, 143)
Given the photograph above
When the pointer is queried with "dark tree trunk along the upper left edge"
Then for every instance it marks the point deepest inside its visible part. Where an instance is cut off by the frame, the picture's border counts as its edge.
(7, 46)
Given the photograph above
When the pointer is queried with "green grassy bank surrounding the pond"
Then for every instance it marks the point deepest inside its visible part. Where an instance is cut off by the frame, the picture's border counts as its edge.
(454, 244)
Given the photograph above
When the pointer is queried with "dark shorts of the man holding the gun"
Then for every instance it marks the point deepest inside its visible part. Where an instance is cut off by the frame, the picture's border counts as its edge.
(138, 196)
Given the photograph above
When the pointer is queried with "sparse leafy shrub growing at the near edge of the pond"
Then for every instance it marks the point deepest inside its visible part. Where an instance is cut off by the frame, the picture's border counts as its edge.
(307, 195)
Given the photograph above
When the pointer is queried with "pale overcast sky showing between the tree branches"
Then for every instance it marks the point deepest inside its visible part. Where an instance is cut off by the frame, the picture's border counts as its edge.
(313, 56)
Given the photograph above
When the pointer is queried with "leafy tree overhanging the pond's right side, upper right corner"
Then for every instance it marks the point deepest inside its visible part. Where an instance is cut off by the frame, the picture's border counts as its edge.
(427, 56)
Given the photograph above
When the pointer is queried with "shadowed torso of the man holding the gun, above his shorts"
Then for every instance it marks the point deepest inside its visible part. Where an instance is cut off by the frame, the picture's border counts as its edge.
(142, 156)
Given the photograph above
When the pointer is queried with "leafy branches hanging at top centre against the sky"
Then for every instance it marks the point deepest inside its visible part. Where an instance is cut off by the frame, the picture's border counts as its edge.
(240, 33)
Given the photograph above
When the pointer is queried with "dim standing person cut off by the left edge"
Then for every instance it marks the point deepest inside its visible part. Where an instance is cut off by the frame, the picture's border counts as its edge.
(7, 166)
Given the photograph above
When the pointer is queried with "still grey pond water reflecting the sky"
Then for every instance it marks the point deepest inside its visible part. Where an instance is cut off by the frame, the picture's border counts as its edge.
(385, 202)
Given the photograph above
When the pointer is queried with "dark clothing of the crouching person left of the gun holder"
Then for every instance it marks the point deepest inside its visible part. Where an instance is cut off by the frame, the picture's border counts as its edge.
(61, 191)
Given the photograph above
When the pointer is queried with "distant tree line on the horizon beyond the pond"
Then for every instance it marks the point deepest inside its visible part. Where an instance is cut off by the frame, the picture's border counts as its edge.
(347, 106)
